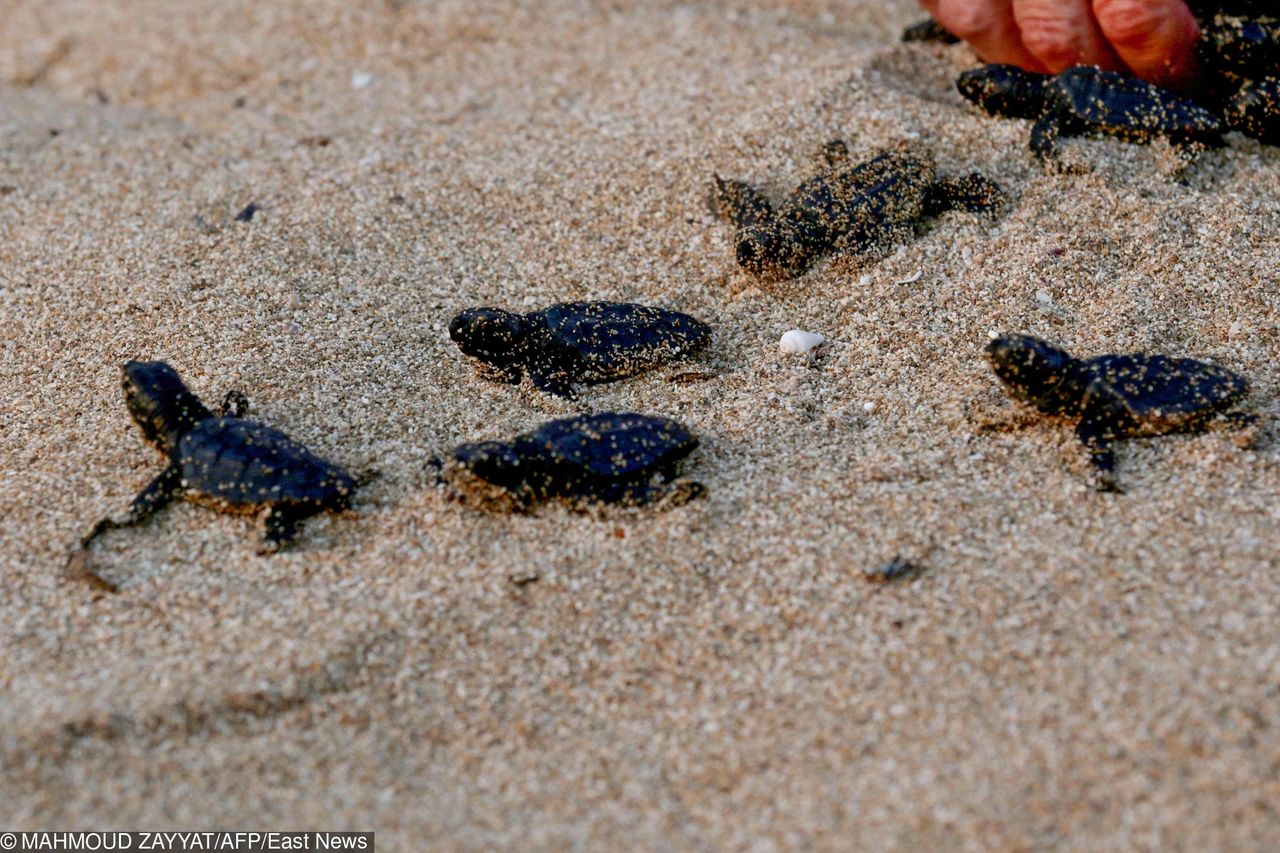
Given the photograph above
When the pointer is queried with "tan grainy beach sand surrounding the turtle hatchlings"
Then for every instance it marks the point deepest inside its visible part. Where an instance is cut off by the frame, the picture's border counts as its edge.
(1071, 669)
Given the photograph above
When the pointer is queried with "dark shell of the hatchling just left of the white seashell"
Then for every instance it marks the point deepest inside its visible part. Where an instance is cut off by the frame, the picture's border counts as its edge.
(616, 340)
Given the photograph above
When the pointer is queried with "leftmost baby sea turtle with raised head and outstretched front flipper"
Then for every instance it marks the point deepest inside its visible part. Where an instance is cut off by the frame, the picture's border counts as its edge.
(226, 463)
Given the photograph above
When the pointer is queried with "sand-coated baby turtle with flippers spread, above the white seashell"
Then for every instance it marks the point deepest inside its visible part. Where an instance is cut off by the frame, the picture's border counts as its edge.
(848, 207)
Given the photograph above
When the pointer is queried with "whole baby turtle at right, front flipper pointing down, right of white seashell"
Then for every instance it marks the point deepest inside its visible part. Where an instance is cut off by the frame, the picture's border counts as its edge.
(1117, 396)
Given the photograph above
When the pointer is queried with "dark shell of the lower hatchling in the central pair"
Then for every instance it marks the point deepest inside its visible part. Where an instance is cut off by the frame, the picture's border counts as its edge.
(610, 446)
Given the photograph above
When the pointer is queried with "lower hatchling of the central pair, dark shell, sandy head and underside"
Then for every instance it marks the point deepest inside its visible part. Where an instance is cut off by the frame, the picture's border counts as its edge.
(621, 459)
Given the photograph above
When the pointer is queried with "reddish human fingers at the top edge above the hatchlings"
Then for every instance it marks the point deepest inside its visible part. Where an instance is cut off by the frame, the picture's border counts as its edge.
(1153, 39)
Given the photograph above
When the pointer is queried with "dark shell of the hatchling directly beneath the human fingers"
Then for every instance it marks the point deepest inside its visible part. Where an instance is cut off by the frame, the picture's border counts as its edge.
(1113, 103)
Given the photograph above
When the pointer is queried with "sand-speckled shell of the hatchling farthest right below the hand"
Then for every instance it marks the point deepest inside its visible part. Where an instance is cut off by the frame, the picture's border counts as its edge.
(1163, 394)
